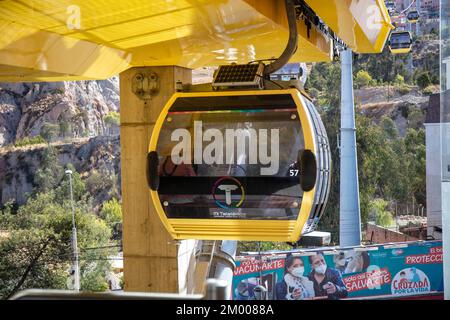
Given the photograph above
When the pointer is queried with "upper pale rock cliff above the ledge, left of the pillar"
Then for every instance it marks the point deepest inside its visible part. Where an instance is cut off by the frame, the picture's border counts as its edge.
(81, 106)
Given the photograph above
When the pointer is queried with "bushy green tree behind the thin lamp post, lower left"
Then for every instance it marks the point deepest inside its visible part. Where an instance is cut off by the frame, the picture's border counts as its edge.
(36, 252)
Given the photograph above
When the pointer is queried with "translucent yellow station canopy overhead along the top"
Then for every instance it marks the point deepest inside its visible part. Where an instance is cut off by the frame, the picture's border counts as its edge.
(53, 40)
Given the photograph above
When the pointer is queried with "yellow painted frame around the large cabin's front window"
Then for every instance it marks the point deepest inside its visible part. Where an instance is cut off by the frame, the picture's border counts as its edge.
(233, 229)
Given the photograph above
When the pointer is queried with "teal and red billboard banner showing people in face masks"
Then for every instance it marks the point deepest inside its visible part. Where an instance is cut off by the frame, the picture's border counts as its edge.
(376, 271)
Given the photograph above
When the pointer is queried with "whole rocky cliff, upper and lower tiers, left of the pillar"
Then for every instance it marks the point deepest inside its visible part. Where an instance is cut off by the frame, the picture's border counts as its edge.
(81, 106)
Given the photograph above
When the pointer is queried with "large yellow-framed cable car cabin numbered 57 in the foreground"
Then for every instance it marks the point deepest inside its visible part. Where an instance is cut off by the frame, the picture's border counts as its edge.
(239, 165)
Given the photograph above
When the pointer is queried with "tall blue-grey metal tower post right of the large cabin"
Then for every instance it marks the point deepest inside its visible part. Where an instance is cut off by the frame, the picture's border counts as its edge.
(350, 218)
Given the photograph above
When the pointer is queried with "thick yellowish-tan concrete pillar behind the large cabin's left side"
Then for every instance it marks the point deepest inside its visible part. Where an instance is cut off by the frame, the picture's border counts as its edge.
(151, 257)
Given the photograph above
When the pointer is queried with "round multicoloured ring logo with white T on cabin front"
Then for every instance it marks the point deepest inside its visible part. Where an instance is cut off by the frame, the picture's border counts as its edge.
(227, 186)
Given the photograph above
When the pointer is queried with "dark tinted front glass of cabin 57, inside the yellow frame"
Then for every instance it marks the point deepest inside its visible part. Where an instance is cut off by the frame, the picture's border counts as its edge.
(231, 157)
